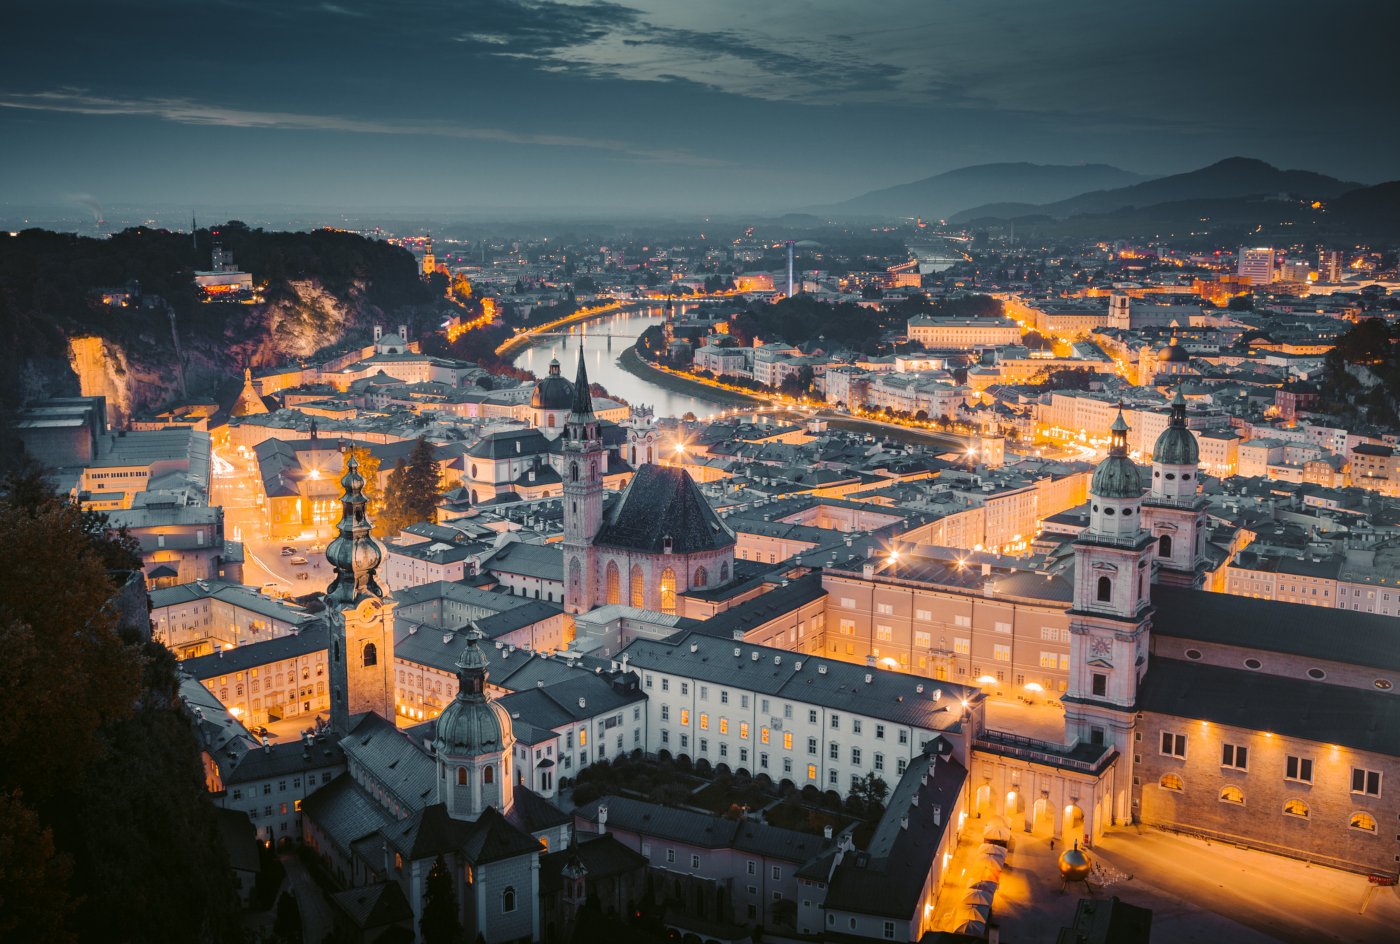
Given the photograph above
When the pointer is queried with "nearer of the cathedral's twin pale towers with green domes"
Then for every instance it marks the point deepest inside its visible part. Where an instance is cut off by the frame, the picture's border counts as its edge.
(1111, 621)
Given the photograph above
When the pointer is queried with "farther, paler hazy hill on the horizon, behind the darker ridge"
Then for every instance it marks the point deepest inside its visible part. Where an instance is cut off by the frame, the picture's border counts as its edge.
(936, 198)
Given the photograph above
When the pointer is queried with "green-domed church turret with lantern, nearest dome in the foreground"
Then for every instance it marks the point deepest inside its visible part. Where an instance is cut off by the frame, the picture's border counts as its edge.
(474, 743)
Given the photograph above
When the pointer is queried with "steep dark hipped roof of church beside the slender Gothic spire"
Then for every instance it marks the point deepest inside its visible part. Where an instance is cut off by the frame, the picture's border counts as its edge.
(664, 504)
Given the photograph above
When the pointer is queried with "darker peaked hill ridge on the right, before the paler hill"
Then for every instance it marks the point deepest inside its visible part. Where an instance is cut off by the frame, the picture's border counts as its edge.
(1235, 177)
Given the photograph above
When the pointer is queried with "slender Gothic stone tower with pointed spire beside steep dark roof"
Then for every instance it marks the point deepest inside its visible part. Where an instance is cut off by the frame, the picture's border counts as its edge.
(584, 467)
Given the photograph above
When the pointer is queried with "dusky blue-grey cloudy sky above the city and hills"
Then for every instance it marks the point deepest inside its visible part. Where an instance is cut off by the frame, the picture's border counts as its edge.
(660, 106)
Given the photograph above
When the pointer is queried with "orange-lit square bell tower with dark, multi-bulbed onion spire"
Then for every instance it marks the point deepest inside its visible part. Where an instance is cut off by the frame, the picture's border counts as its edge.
(359, 614)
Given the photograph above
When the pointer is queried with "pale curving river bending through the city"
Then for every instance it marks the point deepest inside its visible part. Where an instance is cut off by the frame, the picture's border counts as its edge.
(604, 341)
